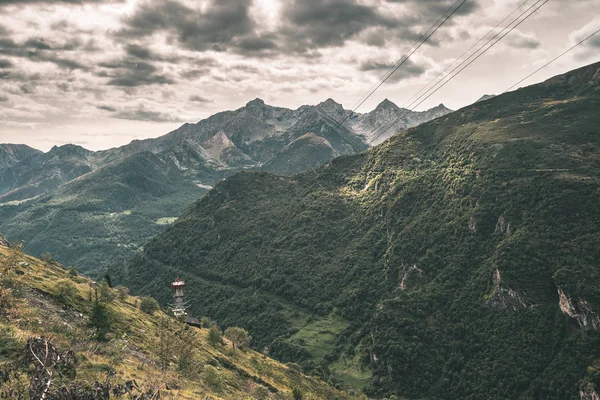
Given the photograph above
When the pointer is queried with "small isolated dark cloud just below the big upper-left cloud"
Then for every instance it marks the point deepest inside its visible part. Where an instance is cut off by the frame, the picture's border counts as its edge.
(130, 73)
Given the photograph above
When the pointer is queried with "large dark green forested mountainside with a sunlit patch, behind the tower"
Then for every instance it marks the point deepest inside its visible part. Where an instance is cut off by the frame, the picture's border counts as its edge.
(460, 257)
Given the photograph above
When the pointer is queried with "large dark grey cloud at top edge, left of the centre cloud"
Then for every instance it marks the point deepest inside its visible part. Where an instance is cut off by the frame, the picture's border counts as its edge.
(221, 22)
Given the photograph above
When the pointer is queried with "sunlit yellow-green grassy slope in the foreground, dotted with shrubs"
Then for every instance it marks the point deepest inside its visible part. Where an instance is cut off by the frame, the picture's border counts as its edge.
(139, 347)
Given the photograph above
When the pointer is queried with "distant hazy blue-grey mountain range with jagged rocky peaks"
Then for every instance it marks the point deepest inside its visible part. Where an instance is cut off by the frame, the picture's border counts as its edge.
(94, 208)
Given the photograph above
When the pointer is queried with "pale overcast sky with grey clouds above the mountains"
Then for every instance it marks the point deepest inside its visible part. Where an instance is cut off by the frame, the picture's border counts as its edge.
(100, 73)
